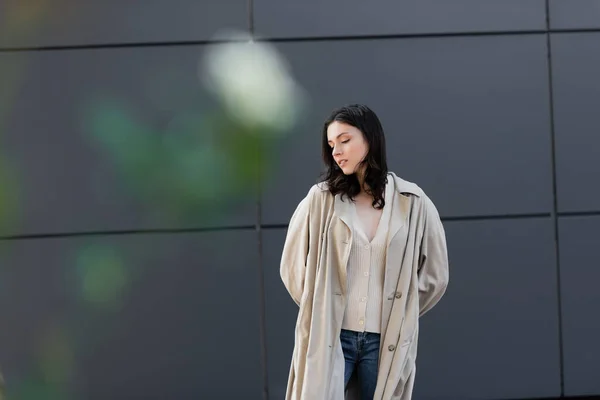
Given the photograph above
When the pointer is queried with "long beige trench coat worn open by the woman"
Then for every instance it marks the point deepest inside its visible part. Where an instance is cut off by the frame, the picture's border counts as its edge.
(313, 270)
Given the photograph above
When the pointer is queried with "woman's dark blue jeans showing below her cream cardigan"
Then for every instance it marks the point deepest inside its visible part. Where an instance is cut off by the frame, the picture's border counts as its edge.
(361, 352)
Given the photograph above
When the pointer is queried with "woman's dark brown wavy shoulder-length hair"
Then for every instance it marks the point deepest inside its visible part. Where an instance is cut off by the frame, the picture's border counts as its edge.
(375, 163)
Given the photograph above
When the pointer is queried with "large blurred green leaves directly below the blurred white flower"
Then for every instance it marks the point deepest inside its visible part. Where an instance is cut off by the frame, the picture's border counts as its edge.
(193, 167)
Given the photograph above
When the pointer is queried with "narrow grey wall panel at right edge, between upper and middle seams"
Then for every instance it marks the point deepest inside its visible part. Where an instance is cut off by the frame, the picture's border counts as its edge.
(576, 79)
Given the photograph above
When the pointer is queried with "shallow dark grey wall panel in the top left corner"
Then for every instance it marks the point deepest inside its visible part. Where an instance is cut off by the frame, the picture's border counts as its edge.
(75, 22)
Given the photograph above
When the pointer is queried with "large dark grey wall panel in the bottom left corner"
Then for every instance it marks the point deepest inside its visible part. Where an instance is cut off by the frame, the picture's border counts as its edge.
(185, 320)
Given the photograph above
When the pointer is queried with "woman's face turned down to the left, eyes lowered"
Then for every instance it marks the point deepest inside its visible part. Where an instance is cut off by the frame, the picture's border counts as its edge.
(348, 146)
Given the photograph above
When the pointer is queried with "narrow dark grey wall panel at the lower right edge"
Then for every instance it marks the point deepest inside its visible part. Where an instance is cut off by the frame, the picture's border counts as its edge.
(579, 276)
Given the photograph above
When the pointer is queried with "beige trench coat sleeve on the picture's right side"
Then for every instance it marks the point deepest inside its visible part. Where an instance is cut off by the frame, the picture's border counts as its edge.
(433, 264)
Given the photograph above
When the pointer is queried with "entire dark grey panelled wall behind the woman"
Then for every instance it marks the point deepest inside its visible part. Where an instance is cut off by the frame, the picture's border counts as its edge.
(491, 107)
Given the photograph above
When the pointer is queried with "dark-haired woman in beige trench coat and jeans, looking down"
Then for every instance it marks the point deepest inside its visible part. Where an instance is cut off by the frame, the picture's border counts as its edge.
(364, 257)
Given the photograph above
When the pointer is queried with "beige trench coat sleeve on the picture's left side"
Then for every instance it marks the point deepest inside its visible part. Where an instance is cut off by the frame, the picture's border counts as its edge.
(295, 251)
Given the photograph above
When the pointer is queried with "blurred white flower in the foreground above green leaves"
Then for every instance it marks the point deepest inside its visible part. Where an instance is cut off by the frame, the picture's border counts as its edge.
(254, 83)
